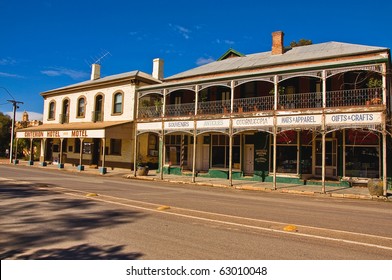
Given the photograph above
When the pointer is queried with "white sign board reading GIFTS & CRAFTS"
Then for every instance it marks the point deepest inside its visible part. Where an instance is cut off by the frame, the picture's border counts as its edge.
(353, 118)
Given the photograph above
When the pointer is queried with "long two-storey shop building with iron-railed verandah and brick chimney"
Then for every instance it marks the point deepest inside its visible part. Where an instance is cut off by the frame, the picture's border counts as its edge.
(311, 113)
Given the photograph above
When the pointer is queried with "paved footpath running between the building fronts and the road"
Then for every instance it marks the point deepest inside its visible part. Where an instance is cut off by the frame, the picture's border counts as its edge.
(353, 192)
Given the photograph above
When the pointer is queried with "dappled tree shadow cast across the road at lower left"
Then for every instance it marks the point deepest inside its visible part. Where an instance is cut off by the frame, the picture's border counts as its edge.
(34, 218)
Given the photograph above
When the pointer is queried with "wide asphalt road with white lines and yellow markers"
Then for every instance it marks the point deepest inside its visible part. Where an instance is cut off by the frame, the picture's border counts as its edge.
(53, 214)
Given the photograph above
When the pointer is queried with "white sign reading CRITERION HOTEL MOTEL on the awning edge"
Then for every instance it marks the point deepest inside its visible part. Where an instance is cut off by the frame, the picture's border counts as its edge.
(77, 133)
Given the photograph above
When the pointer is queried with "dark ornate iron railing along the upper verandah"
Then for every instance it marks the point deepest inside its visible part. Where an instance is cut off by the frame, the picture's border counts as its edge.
(310, 100)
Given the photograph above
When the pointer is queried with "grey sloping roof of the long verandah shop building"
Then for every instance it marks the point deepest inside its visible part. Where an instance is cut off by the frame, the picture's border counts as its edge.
(263, 60)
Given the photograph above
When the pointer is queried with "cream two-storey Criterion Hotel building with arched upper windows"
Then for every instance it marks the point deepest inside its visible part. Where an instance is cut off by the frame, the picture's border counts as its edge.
(90, 123)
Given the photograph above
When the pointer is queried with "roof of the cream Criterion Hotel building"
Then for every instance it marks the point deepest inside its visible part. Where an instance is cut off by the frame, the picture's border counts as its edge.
(132, 75)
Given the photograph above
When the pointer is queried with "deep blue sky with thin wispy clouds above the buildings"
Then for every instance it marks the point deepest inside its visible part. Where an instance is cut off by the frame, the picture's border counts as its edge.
(49, 44)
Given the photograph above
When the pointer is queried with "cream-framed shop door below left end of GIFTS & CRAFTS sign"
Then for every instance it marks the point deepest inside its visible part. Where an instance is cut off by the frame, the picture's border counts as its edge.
(330, 158)
